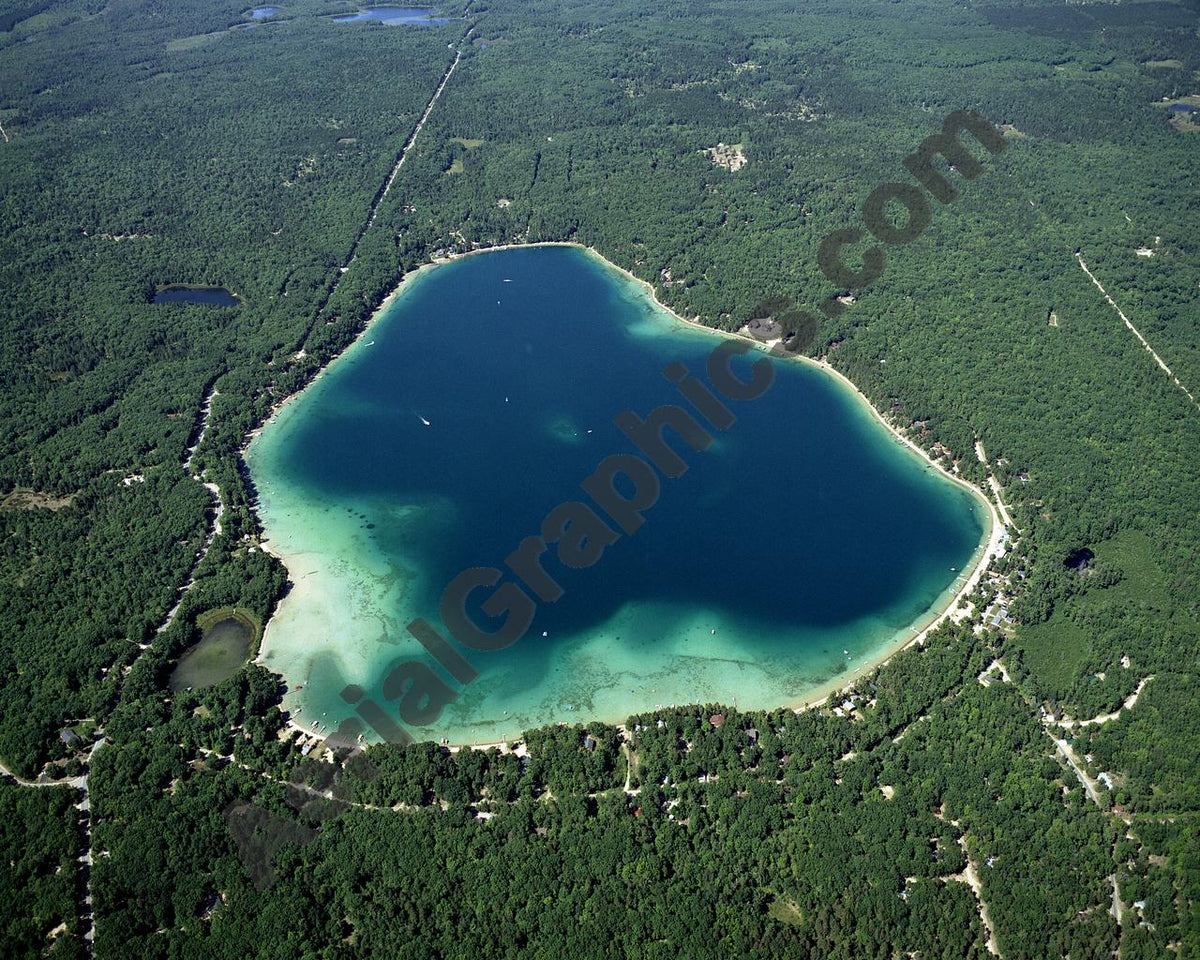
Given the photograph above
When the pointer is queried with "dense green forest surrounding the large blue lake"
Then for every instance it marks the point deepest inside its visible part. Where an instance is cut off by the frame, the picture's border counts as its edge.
(148, 143)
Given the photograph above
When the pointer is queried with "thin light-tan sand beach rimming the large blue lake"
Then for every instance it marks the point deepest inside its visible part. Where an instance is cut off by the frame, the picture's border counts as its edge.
(814, 695)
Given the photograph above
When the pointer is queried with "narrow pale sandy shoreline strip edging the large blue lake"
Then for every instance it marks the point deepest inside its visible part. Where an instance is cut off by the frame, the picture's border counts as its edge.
(813, 698)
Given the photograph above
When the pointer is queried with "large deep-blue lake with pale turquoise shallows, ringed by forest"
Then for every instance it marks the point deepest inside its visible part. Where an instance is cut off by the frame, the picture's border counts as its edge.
(797, 545)
